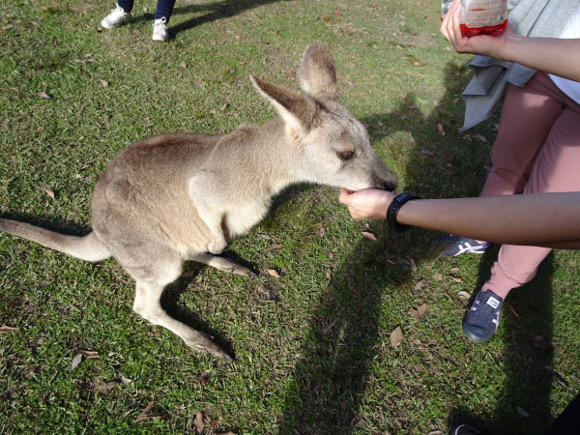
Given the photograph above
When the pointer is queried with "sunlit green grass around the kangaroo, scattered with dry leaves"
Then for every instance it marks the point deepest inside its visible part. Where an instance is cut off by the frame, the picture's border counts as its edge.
(313, 355)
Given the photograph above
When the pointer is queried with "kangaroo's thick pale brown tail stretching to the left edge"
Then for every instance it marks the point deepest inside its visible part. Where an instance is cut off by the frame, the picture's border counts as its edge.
(88, 248)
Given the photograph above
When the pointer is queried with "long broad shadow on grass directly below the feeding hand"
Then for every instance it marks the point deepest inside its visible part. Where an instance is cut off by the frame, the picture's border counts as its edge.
(329, 380)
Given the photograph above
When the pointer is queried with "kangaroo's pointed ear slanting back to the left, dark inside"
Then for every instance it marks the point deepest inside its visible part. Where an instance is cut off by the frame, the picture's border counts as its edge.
(297, 111)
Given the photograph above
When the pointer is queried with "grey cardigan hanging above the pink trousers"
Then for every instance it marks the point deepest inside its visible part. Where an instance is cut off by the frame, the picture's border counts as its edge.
(539, 18)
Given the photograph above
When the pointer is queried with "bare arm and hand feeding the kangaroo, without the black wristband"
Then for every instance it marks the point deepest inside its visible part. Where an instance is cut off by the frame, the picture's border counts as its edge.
(543, 219)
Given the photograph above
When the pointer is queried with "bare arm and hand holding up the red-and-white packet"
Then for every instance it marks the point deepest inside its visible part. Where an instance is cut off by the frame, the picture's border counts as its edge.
(555, 56)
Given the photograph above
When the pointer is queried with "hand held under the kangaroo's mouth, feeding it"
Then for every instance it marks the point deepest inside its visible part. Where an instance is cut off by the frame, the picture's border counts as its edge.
(366, 204)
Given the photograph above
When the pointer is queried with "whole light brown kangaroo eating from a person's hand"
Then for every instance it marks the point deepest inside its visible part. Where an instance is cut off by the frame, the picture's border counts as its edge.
(180, 197)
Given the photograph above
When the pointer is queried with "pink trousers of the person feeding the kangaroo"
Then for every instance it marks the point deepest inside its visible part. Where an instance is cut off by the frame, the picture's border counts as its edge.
(537, 150)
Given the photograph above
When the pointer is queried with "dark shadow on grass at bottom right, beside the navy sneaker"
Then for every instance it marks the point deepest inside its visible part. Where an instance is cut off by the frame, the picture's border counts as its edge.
(526, 330)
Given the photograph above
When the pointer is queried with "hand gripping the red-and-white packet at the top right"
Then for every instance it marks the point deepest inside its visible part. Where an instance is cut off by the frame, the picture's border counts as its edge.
(490, 45)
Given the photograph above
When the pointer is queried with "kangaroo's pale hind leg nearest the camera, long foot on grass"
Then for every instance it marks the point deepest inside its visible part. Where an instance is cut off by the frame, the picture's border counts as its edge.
(151, 281)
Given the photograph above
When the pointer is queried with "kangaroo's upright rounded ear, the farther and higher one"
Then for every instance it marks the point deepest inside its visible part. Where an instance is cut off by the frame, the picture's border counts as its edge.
(317, 73)
